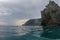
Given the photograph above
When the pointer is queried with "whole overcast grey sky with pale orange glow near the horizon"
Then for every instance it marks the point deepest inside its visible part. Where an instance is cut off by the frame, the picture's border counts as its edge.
(17, 12)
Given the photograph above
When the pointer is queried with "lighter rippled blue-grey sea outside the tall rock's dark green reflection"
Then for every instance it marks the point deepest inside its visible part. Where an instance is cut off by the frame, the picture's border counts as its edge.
(22, 33)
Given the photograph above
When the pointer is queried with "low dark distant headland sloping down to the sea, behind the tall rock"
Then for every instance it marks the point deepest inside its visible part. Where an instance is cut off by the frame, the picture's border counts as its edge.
(33, 22)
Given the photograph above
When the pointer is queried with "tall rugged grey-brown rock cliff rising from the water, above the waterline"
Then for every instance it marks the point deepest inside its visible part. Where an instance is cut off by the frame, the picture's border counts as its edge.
(51, 14)
